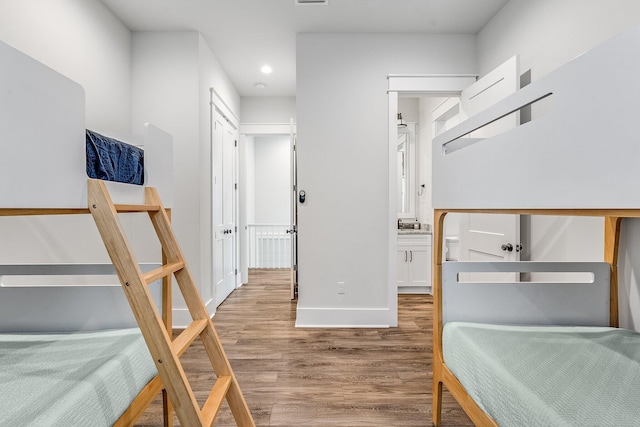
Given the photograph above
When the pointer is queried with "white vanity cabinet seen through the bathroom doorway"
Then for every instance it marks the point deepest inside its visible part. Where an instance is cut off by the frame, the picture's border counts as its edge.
(414, 263)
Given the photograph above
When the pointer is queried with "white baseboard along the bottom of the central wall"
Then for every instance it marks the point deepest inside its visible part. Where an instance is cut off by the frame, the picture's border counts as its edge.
(342, 318)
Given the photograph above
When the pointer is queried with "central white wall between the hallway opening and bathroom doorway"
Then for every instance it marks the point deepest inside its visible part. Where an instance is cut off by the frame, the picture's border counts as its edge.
(343, 149)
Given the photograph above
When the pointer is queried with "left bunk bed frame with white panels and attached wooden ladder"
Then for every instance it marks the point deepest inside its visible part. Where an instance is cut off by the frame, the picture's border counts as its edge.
(42, 171)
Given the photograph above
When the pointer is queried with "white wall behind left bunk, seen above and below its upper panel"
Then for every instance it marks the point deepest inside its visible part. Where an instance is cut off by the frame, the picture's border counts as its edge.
(100, 61)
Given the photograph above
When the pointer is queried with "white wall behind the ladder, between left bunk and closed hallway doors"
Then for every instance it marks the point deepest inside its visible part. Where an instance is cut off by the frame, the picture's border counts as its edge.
(172, 75)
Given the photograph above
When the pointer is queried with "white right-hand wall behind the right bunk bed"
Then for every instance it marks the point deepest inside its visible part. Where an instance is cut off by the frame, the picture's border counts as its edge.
(547, 34)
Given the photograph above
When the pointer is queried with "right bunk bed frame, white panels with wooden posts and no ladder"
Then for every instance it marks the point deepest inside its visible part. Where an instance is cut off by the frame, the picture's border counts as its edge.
(580, 159)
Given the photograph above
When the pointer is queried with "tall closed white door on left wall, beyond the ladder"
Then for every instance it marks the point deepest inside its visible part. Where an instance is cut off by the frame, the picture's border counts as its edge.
(224, 146)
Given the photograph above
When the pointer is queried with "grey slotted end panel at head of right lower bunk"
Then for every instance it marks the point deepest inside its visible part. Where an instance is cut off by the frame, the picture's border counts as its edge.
(465, 297)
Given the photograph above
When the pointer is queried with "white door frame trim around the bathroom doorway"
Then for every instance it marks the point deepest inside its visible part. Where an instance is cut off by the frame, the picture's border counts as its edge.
(420, 85)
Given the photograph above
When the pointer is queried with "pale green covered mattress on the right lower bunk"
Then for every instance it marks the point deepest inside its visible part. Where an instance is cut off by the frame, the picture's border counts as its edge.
(548, 376)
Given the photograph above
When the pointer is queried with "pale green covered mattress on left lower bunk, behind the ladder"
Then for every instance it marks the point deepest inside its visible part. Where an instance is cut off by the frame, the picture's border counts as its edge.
(84, 379)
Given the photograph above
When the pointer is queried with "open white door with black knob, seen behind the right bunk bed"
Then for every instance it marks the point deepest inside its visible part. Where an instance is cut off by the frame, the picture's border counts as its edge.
(485, 237)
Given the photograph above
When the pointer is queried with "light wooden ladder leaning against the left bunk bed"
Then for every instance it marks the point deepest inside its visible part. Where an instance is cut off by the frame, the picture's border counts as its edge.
(163, 349)
